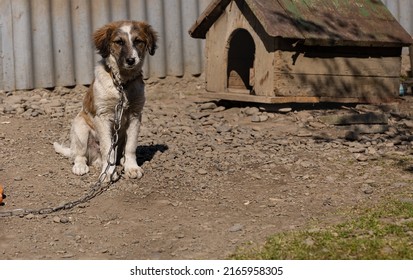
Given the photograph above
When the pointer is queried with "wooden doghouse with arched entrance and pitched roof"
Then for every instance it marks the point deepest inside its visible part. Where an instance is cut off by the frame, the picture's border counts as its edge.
(276, 51)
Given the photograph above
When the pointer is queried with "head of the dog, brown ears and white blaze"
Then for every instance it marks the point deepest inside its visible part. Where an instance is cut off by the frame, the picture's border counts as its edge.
(126, 42)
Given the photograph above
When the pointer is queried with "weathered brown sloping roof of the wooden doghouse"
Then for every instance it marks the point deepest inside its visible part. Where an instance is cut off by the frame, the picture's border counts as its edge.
(317, 22)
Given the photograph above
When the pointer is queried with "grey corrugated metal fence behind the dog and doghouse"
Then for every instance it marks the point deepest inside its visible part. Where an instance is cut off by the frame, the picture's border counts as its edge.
(47, 43)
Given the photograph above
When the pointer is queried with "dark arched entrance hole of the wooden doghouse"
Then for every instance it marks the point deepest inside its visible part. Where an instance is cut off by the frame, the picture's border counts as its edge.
(241, 56)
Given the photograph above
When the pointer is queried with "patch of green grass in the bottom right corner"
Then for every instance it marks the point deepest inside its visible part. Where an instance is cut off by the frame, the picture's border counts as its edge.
(384, 233)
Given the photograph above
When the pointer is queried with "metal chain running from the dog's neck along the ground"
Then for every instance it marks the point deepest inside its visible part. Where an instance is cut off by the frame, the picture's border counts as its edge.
(99, 187)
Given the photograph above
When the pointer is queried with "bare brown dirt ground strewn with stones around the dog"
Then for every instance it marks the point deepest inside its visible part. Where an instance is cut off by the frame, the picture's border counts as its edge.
(218, 175)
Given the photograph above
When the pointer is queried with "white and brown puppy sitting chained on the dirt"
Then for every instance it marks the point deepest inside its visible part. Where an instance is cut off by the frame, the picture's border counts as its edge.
(122, 45)
